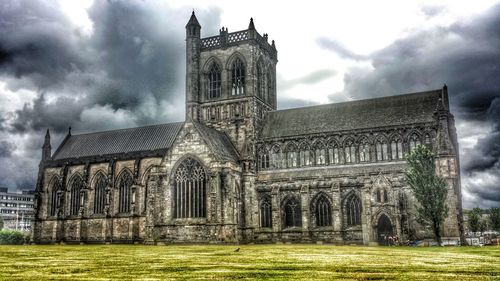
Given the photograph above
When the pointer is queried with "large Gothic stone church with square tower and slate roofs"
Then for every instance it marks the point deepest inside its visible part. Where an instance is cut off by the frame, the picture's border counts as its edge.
(239, 170)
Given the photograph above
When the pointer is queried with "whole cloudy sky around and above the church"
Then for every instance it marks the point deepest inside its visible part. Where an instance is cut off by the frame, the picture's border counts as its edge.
(97, 65)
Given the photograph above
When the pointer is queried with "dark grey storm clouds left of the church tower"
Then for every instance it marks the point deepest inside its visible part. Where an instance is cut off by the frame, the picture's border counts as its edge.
(128, 71)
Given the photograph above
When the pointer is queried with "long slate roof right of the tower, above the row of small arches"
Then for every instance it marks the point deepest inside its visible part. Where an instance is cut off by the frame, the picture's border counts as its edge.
(370, 113)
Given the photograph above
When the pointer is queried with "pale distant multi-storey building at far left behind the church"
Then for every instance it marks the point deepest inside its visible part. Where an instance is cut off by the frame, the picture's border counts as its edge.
(16, 209)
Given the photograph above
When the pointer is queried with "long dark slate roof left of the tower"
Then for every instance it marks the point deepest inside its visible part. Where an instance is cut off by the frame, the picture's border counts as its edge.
(148, 138)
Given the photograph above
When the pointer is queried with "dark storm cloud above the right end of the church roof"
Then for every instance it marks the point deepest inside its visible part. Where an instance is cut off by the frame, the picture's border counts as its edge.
(466, 56)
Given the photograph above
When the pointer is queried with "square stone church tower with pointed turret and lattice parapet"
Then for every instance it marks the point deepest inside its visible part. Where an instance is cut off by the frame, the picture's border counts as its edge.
(230, 81)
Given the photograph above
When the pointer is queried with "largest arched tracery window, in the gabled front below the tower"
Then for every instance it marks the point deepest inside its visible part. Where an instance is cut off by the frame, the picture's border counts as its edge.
(189, 192)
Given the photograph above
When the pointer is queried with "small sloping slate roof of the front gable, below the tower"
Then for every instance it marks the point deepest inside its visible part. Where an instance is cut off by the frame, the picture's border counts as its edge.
(219, 142)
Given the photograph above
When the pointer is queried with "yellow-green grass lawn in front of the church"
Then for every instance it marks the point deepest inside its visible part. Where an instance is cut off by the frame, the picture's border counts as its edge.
(282, 262)
